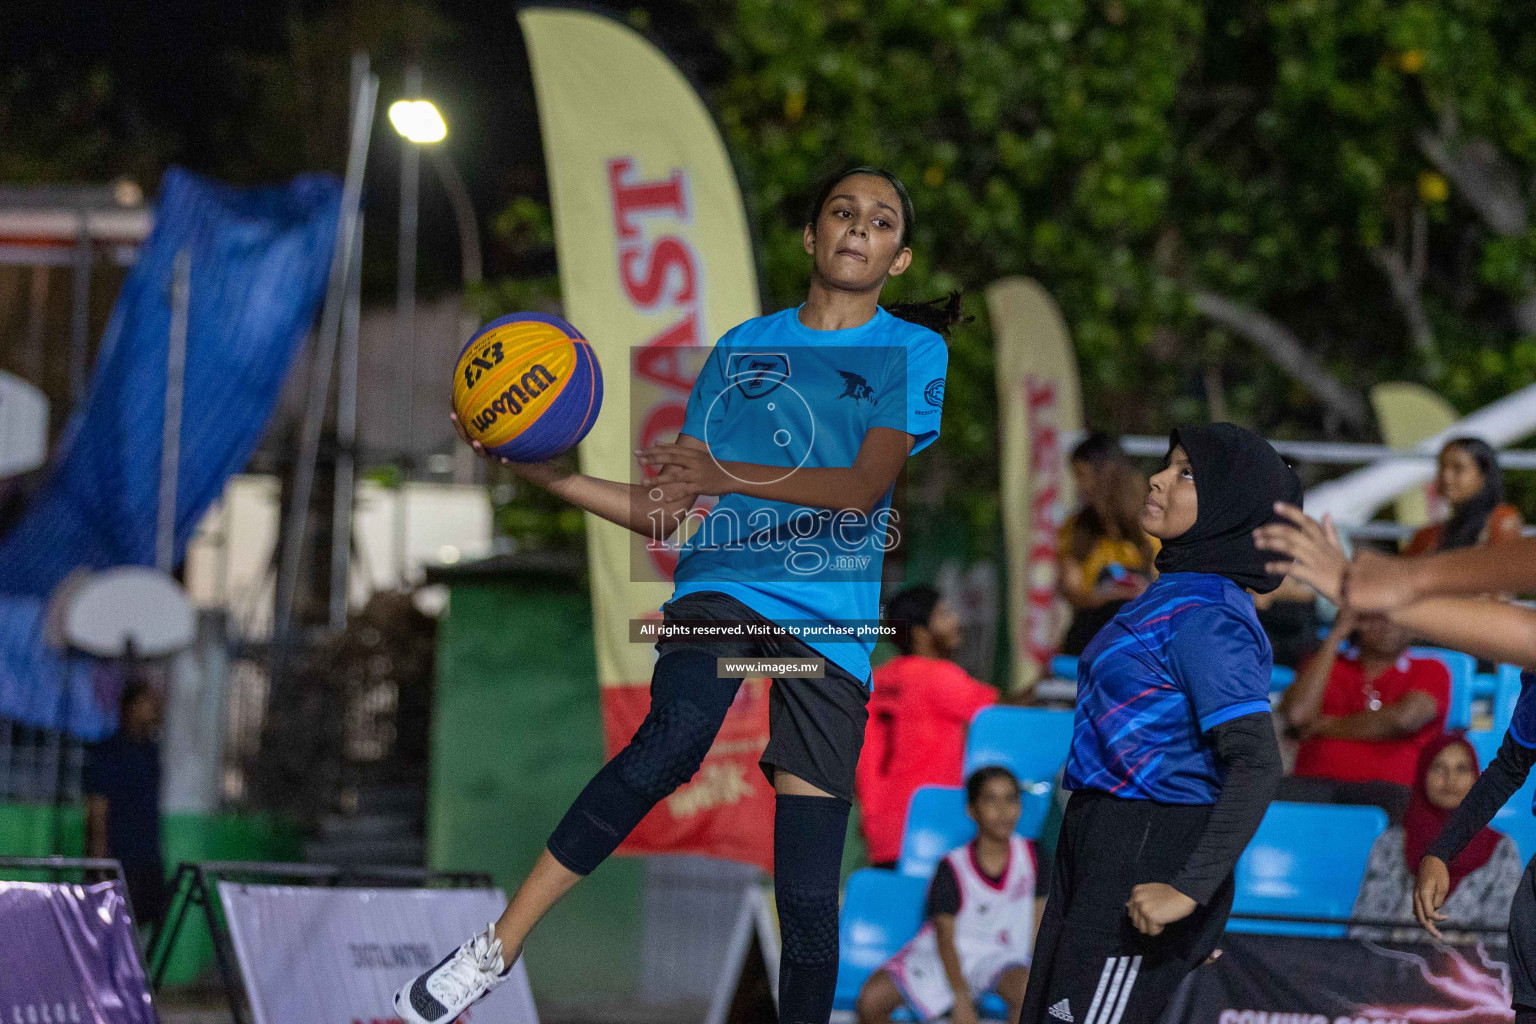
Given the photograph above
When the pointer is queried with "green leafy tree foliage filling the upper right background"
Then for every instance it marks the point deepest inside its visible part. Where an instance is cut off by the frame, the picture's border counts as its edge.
(1354, 173)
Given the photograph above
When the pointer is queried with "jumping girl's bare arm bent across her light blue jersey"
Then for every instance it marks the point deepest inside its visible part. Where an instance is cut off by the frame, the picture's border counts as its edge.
(859, 487)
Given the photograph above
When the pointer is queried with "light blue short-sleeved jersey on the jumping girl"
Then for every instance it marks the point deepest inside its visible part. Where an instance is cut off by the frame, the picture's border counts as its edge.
(773, 392)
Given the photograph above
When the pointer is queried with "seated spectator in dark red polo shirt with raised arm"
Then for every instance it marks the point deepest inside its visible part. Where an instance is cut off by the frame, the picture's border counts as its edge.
(1363, 718)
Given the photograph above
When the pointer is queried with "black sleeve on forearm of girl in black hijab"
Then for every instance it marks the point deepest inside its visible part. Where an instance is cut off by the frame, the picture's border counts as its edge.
(1250, 761)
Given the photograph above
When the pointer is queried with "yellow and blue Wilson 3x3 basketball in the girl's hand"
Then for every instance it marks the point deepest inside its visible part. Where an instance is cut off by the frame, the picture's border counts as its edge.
(528, 388)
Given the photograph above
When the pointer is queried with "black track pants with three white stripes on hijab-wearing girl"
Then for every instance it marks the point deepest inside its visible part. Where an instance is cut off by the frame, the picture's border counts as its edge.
(1091, 966)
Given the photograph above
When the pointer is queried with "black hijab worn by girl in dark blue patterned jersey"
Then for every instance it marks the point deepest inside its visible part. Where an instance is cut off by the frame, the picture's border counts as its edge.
(1239, 478)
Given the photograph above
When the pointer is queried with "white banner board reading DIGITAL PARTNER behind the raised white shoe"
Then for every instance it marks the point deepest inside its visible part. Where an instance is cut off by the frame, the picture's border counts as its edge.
(339, 956)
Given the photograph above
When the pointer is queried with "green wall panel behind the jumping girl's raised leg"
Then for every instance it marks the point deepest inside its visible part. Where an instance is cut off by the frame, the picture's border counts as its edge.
(517, 735)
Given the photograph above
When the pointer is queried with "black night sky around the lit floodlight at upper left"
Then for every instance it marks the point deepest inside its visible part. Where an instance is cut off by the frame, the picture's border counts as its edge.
(174, 93)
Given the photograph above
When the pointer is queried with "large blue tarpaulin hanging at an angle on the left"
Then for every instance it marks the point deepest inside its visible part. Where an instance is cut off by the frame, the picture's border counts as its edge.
(260, 263)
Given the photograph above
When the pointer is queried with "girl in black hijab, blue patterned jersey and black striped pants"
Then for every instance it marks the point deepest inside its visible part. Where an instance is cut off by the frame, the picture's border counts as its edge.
(1174, 758)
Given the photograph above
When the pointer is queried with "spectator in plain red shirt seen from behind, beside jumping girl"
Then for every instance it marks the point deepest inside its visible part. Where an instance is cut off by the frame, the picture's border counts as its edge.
(919, 712)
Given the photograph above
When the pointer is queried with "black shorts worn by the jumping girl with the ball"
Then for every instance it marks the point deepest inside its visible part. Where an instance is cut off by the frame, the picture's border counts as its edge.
(815, 725)
